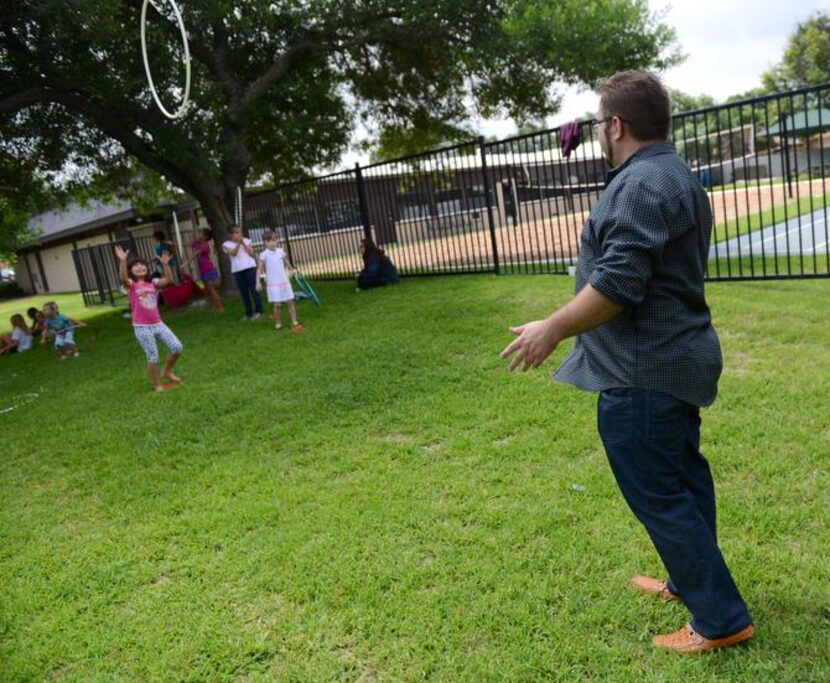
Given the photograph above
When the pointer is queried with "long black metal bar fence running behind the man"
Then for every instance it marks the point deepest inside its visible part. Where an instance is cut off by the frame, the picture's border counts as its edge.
(518, 205)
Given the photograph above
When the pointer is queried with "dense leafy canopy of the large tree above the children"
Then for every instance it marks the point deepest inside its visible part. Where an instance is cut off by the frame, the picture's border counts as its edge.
(279, 87)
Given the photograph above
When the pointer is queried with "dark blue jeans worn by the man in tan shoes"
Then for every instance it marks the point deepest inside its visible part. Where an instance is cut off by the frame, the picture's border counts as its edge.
(653, 445)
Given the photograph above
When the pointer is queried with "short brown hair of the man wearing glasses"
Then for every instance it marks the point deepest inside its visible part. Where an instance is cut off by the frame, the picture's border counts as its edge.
(641, 100)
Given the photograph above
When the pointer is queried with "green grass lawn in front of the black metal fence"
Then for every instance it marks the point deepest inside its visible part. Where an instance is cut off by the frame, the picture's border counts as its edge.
(379, 500)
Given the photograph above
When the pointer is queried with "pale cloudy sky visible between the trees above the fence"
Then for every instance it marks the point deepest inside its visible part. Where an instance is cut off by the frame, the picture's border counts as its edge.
(728, 45)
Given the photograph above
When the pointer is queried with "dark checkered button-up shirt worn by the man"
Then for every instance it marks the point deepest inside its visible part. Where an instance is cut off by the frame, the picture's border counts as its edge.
(645, 247)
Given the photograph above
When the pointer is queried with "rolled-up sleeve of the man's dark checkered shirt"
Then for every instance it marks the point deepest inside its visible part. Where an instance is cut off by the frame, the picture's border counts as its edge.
(632, 237)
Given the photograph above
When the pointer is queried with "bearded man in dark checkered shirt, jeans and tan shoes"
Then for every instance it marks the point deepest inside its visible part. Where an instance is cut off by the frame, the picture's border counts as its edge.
(645, 341)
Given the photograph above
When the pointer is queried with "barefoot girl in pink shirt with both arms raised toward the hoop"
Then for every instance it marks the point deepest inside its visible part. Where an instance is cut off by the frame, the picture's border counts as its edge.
(147, 324)
